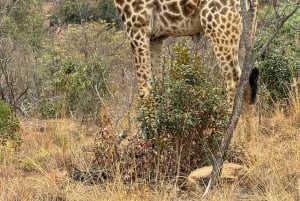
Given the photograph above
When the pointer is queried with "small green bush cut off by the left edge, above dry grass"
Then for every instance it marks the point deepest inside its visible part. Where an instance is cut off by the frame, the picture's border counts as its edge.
(9, 125)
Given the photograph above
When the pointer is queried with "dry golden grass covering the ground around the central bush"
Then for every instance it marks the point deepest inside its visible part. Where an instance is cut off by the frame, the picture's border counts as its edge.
(38, 170)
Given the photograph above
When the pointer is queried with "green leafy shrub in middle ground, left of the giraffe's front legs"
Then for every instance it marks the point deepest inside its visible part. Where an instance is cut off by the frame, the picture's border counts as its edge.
(79, 85)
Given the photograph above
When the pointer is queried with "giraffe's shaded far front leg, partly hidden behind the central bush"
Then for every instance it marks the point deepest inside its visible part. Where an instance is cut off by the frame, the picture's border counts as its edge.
(156, 56)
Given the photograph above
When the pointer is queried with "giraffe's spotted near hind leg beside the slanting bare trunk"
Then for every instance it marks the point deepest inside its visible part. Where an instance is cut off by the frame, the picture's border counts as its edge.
(224, 33)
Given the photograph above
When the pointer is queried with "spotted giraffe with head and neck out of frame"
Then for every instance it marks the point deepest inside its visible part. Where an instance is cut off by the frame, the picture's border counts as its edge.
(149, 22)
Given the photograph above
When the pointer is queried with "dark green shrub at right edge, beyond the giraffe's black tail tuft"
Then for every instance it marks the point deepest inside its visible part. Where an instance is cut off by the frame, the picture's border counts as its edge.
(280, 63)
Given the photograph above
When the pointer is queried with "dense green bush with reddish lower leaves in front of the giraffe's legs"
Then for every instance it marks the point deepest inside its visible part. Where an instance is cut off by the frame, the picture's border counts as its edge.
(187, 109)
